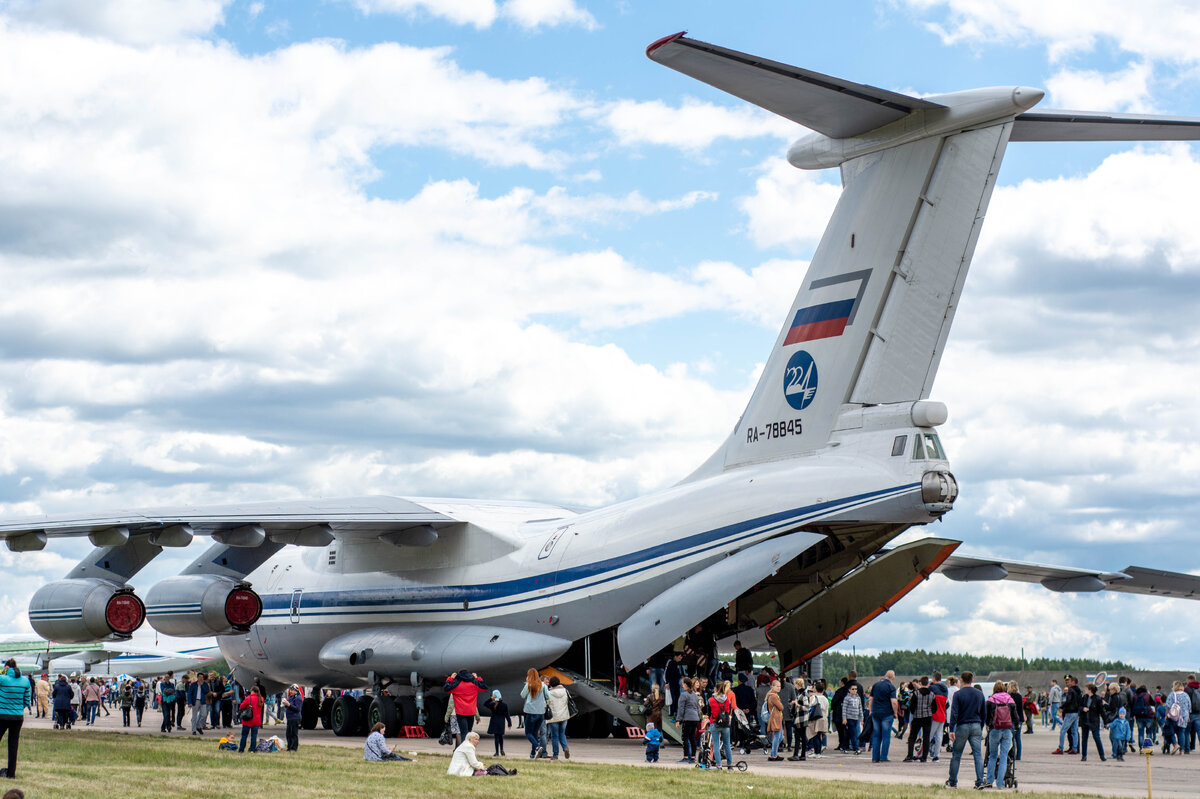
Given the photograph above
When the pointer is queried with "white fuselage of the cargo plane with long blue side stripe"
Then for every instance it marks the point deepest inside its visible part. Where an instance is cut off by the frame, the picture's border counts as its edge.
(566, 578)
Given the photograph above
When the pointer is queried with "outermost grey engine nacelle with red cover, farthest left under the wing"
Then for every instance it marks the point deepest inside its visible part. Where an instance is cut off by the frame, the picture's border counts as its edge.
(85, 610)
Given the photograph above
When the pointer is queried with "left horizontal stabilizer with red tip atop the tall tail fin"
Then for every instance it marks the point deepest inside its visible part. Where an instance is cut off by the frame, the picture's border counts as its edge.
(824, 104)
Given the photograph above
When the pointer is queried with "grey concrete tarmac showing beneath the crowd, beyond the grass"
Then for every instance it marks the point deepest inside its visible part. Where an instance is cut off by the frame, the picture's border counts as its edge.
(1174, 777)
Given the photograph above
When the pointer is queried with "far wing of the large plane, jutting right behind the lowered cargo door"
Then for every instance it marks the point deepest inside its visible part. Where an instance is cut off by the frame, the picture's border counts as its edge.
(1131, 580)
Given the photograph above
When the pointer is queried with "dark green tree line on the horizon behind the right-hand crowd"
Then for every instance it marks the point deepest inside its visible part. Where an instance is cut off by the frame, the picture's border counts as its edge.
(919, 662)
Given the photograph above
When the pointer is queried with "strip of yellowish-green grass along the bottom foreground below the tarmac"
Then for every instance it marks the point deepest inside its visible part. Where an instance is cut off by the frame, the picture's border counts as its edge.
(113, 766)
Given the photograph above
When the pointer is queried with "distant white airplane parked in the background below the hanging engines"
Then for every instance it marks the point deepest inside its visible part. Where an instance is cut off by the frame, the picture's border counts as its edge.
(107, 659)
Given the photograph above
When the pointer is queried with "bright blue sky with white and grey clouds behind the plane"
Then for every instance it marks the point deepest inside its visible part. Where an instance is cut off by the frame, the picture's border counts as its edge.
(488, 249)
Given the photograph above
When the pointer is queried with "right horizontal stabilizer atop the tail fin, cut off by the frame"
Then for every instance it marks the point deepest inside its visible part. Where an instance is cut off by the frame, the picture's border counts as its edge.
(1096, 127)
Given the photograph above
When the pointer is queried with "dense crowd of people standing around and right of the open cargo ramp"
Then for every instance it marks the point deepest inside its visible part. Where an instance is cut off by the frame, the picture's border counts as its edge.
(934, 716)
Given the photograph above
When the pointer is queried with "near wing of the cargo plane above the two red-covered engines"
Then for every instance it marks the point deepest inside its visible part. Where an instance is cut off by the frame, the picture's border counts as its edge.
(289, 522)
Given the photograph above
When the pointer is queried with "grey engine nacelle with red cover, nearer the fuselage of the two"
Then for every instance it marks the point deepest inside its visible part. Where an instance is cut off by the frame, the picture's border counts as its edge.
(202, 605)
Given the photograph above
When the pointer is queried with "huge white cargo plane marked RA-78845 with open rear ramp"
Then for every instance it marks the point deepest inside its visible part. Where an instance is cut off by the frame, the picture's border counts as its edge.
(787, 528)
